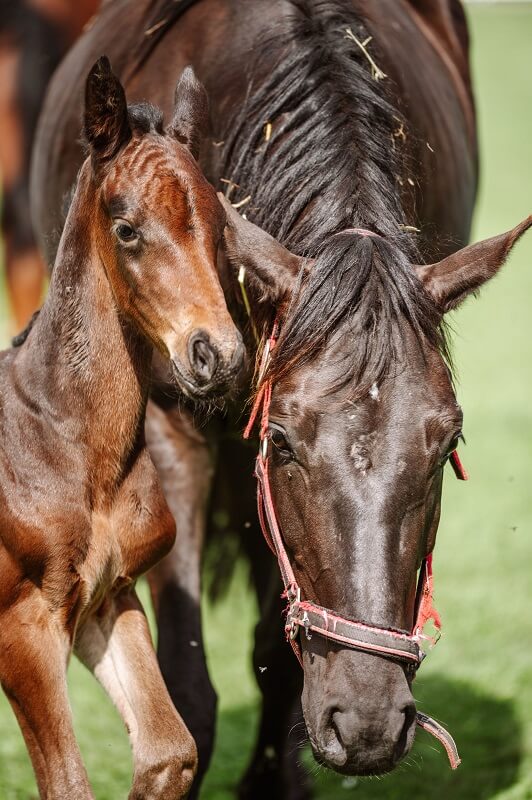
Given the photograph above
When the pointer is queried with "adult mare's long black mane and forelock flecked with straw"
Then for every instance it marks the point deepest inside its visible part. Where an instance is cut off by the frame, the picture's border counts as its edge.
(313, 149)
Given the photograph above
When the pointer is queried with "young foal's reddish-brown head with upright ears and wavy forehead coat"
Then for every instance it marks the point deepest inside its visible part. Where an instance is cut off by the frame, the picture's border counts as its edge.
(159, 226)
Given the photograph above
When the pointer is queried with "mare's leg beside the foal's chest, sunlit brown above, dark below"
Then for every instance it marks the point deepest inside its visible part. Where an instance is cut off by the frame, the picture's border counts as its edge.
(184, 467)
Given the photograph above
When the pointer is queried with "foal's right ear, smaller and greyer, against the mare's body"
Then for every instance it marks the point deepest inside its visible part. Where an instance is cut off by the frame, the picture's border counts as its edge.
(191, 112)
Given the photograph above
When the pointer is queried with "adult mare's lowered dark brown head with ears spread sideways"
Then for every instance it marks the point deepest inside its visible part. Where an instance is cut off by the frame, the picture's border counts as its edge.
(362, 420)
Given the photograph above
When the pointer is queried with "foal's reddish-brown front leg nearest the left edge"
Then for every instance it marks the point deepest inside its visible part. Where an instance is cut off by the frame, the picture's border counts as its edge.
(33, 660)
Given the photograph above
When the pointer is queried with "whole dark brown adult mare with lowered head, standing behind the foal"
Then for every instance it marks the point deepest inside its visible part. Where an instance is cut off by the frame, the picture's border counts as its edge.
(317, 129)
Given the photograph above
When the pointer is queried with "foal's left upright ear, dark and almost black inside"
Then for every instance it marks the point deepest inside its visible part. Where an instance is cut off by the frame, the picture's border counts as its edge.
(106, 121)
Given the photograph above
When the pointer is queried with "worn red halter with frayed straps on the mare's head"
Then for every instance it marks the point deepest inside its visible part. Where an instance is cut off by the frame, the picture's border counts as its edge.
(314, 619)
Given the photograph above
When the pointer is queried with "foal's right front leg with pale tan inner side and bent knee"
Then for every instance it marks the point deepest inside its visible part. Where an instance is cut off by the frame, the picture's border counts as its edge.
(115, 644)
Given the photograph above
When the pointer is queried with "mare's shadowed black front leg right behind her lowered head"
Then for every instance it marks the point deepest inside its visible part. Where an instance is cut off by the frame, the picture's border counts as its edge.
(275, 770)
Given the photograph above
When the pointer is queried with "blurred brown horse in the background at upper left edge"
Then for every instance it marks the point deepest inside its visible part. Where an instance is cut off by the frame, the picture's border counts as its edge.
(34, 36)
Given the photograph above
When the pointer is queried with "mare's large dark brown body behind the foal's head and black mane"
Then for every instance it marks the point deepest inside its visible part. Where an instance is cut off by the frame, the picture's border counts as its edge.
(439, 111)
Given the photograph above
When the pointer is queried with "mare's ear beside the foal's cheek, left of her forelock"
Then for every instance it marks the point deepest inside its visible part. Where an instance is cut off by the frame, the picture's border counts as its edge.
(271, 267)
